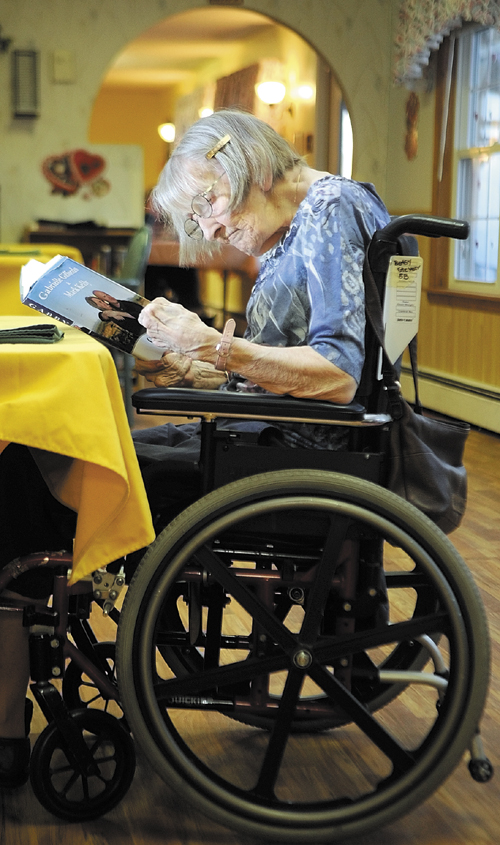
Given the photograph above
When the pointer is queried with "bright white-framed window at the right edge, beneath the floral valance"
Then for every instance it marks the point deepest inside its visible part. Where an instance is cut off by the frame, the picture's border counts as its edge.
(476, 163)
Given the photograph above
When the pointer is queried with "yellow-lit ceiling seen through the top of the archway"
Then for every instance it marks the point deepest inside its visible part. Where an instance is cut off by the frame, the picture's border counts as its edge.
(174, 50)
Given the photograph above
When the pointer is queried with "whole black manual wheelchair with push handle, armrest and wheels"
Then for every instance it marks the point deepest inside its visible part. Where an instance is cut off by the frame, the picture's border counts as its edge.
(328, 637)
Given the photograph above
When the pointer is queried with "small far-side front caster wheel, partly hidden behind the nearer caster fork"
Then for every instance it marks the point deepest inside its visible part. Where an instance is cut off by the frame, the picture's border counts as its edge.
(79, 690)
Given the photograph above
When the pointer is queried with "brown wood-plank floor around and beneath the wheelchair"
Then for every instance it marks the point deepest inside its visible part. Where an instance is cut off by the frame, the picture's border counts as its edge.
(461, 812)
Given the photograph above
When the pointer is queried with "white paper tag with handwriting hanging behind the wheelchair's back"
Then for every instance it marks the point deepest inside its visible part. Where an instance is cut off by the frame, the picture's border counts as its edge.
(401, 303)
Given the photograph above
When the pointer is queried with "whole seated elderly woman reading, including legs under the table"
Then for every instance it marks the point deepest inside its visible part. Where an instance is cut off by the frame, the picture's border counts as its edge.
(231, 180)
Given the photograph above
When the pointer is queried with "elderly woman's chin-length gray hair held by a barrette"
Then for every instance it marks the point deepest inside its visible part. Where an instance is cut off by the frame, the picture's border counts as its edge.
(254, 155)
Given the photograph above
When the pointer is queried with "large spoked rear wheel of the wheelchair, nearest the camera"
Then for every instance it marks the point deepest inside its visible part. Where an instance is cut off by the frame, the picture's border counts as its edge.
(262, 606)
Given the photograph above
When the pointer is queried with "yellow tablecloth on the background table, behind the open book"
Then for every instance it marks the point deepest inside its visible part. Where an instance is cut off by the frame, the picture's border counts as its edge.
(12, 258)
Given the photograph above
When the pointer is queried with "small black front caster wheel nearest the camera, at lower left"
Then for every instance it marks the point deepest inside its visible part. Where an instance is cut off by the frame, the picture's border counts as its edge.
(67, 791)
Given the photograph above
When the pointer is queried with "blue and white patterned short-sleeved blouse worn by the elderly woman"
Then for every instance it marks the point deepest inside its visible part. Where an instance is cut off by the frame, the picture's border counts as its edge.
(309, 291)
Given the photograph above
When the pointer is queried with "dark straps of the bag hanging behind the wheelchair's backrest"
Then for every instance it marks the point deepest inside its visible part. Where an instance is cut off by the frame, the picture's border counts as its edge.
(373, 309)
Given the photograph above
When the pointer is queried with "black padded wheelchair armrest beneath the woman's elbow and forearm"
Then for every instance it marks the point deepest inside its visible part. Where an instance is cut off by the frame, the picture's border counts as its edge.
(210, 404)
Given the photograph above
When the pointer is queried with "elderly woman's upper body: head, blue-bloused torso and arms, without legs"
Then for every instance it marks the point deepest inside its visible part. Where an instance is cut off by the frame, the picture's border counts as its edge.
(233, 180)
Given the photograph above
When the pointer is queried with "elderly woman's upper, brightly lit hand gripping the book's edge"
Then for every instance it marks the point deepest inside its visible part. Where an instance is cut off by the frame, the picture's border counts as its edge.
(173, 327)
